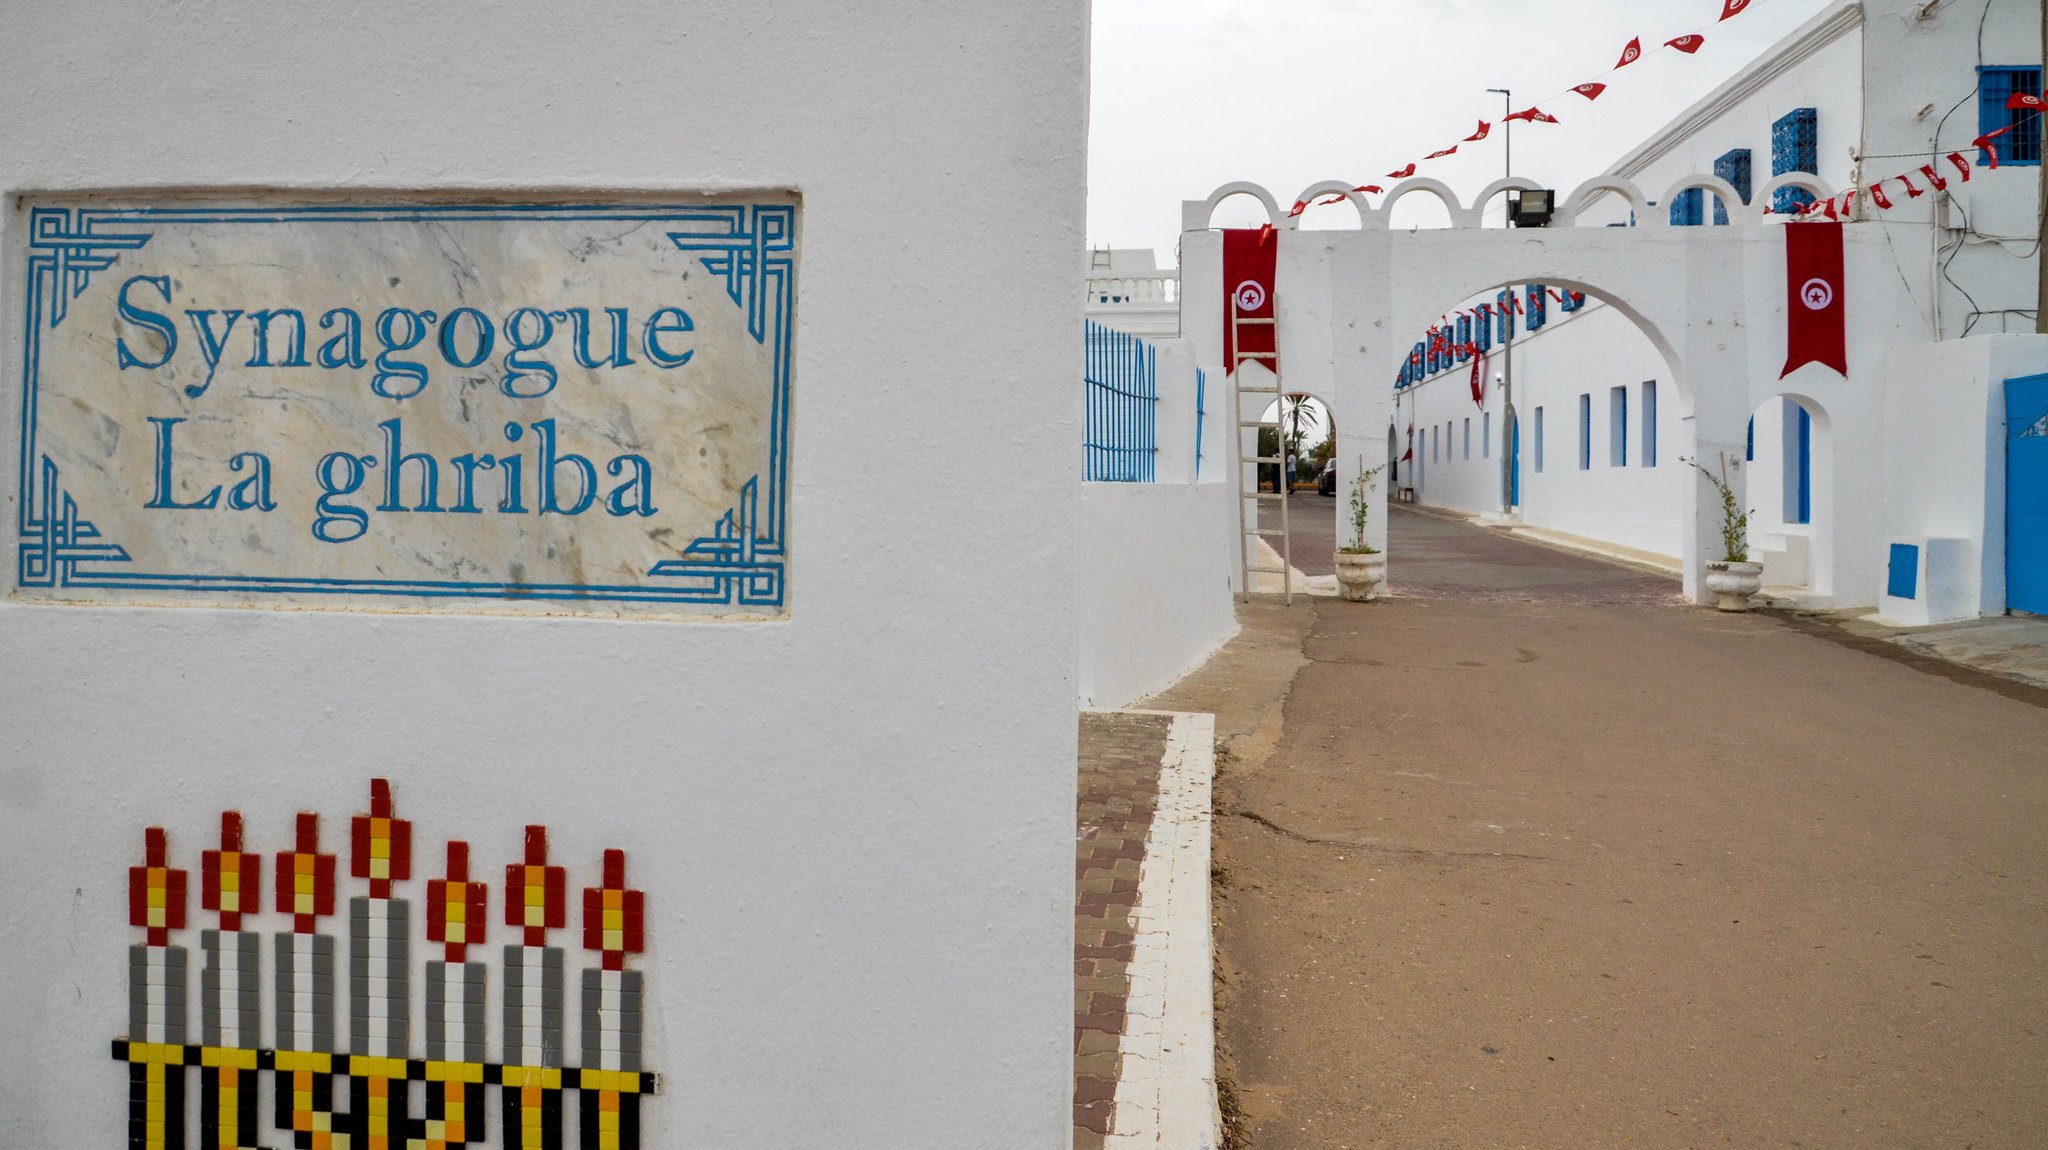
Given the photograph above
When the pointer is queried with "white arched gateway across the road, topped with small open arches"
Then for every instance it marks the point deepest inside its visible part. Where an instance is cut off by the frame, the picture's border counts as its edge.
(1711, 300)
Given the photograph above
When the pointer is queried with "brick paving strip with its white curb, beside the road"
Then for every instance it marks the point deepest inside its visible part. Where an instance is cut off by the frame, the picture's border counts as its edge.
(1142, 973)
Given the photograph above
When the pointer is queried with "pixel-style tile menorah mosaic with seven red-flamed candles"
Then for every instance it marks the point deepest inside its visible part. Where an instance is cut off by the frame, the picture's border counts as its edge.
(376, 1094)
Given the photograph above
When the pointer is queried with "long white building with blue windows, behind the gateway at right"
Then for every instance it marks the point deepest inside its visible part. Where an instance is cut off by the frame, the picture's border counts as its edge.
(1854, 97)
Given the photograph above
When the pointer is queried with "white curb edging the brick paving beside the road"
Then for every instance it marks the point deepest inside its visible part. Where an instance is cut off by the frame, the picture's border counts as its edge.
(1166, 1088)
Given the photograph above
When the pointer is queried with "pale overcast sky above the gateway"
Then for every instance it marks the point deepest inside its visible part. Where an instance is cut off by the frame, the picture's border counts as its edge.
(1197, 93)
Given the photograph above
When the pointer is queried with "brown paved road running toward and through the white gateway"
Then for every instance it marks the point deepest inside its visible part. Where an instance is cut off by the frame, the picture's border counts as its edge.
(1553, 867)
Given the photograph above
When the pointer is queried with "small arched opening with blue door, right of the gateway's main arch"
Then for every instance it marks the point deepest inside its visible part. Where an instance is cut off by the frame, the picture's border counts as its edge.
(1787, 494)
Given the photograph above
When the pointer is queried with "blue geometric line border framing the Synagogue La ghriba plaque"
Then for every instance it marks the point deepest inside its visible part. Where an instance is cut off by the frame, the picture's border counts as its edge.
(742, 560)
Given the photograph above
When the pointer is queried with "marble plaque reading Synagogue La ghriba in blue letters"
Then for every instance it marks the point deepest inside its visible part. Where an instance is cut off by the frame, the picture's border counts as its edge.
(534, 408)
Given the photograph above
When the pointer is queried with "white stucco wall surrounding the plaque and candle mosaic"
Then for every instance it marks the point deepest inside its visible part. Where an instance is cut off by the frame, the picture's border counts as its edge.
(855, 828)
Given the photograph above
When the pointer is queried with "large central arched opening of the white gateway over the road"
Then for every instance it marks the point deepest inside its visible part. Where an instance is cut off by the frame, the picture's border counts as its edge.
(1553, 408)
